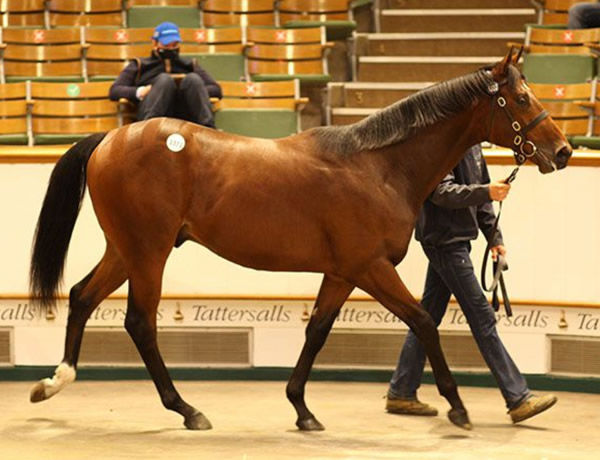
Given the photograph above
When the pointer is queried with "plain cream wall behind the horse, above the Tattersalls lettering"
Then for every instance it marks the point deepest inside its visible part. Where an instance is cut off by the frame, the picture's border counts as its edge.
(551, 225)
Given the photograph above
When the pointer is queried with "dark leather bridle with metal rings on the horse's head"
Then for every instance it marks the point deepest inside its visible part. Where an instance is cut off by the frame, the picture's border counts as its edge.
(526, 148)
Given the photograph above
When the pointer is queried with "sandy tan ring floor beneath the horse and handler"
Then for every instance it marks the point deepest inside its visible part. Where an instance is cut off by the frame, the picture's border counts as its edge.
(253, 420)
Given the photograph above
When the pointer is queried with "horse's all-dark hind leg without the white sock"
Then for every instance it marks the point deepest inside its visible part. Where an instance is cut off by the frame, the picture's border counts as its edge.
(140, 322)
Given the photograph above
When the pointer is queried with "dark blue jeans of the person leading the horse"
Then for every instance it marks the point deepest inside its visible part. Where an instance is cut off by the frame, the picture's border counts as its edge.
(450, 270)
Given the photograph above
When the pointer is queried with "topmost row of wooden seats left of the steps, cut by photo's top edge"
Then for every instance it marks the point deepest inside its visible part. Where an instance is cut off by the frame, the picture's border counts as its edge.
(335, 14)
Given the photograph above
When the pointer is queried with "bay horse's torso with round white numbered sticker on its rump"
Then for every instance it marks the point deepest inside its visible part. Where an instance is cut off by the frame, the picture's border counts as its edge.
(269, 204)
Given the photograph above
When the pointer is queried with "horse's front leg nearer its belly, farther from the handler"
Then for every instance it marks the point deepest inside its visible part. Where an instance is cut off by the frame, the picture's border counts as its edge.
(332, 295)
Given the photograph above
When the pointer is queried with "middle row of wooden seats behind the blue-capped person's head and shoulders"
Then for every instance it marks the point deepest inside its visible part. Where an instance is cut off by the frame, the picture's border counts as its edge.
(228, 53)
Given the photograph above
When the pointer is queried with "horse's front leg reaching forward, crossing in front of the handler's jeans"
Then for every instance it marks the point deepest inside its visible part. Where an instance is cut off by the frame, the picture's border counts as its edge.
(382, 281)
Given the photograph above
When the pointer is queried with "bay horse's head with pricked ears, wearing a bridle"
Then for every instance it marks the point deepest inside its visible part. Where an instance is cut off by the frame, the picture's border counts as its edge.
(518, 120)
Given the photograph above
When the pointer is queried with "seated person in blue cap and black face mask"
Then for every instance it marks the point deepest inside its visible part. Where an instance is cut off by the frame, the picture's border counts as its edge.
(151, 82)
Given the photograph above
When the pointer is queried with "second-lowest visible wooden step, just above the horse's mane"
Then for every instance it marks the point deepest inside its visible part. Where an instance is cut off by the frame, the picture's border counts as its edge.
(370, 95)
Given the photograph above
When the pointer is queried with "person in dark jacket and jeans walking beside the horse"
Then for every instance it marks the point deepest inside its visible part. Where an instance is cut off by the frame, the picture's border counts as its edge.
(451, 217)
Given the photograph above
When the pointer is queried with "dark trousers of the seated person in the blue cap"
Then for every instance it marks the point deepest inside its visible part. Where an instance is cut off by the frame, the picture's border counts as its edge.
(190, 101)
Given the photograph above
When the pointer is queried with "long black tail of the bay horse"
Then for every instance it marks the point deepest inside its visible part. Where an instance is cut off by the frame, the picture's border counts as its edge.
(66, 189)
